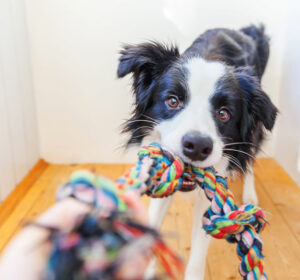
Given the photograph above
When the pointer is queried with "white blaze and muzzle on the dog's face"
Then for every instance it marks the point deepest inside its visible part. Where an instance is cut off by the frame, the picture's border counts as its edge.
(196, 117)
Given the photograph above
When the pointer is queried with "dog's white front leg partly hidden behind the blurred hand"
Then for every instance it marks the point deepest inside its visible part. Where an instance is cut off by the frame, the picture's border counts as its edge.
(157, 212)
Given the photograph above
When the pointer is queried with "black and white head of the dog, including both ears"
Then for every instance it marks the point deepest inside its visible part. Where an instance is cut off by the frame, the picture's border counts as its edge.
(202, 110)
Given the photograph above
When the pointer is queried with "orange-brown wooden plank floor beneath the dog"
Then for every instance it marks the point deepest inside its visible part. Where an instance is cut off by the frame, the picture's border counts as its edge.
(278, 195)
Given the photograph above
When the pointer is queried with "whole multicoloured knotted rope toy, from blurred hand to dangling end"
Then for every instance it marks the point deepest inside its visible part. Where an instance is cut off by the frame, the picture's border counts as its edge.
(158, 174)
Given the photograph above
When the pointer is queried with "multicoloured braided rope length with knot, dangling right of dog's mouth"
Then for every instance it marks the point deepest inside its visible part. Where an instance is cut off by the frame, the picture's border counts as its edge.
(241, 225)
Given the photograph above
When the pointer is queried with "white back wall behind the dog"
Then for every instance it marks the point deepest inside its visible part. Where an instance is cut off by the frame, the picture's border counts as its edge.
(74, 48)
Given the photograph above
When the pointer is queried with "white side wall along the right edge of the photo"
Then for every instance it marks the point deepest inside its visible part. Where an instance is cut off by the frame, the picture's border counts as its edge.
(288, 137)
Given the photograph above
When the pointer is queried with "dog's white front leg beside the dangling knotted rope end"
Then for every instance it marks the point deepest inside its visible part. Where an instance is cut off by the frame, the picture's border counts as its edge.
(200, 241)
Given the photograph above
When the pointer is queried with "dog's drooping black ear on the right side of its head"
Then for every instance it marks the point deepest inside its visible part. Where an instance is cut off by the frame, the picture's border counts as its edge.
(258, 107)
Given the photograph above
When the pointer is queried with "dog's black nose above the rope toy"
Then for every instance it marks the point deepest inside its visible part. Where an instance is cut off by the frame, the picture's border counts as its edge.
(196, 146)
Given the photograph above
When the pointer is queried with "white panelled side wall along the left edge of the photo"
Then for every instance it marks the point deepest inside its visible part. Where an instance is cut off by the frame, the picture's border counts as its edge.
(18, 130)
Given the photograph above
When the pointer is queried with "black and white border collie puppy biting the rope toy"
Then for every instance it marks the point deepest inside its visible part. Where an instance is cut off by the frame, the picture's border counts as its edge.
(205, 105)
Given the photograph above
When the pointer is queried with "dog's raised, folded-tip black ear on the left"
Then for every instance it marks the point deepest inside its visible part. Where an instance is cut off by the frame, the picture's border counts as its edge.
(145, 62)
